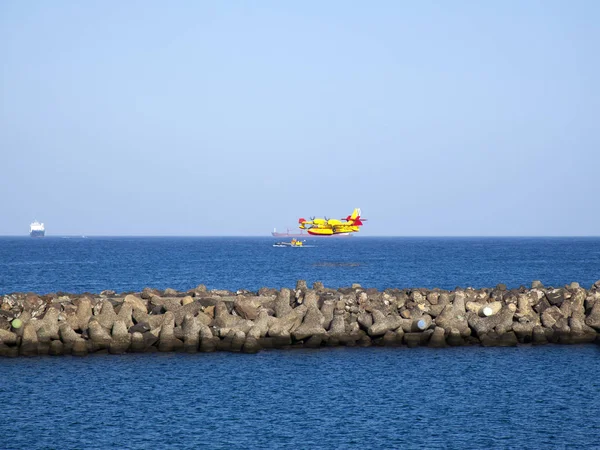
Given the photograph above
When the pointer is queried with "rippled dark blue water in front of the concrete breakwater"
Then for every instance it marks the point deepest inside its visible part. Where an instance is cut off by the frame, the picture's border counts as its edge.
(526, 397)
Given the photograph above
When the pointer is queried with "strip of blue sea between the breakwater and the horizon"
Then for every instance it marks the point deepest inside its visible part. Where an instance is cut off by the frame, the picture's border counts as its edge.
(130, 264)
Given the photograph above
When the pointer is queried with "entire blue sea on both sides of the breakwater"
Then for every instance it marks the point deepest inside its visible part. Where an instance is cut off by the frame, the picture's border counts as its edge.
(331, 398)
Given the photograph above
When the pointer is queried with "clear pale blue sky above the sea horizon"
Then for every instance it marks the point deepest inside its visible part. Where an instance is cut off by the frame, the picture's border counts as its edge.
(192, 118)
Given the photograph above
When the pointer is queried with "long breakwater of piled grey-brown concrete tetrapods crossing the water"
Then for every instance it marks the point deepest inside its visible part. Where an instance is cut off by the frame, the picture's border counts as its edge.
(200, 320)
